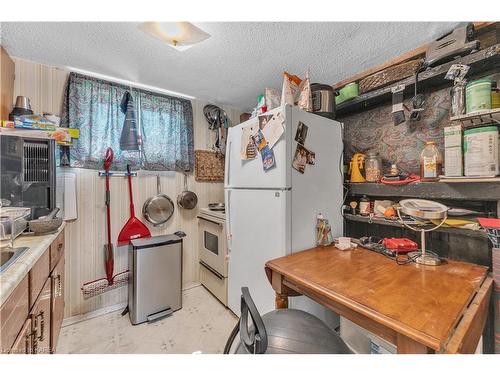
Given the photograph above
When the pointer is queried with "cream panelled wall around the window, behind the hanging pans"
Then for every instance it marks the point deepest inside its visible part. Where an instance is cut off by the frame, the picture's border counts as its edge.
(85, 236)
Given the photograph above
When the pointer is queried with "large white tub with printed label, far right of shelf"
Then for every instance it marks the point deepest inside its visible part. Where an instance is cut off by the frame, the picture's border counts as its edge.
(481, 151)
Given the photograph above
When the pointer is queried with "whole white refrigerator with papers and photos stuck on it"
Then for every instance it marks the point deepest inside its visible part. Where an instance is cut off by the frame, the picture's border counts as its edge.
(270, 214)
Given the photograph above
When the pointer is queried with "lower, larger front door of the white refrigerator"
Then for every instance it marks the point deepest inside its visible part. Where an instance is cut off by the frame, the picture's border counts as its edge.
(258, 227)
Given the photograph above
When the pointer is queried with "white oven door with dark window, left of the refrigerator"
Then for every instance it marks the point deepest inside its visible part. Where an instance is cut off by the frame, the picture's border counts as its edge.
(212, 244)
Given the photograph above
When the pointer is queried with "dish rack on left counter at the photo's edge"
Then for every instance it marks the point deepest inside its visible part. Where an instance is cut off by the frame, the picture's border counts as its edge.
(13, 221)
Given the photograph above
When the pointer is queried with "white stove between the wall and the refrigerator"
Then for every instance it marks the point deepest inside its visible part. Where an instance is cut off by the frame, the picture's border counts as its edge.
(213, 252)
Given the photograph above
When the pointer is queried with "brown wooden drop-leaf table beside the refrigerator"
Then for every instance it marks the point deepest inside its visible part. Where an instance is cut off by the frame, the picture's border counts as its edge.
(420, 309)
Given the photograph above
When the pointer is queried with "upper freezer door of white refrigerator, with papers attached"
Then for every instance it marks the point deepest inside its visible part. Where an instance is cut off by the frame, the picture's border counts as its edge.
(250, 173)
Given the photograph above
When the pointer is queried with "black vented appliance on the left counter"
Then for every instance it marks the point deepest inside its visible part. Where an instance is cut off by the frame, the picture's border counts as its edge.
(28, 173)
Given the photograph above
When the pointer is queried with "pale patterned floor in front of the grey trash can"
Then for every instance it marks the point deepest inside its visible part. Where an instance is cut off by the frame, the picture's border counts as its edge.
(203, 324)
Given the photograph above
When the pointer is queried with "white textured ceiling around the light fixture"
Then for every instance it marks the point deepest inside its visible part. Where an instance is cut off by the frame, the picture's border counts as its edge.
(233, 66)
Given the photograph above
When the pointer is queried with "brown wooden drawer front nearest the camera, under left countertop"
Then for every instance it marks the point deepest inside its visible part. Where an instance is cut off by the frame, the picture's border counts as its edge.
(13, 314)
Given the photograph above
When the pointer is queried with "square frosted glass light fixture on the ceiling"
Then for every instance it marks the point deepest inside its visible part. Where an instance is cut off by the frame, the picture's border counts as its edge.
(178, 35)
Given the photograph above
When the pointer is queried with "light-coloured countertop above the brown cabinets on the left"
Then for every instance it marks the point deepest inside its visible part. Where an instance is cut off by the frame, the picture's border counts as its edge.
(12, 276)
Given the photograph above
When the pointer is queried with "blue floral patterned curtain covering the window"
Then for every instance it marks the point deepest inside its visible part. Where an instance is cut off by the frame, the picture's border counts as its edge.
(92, 105)
